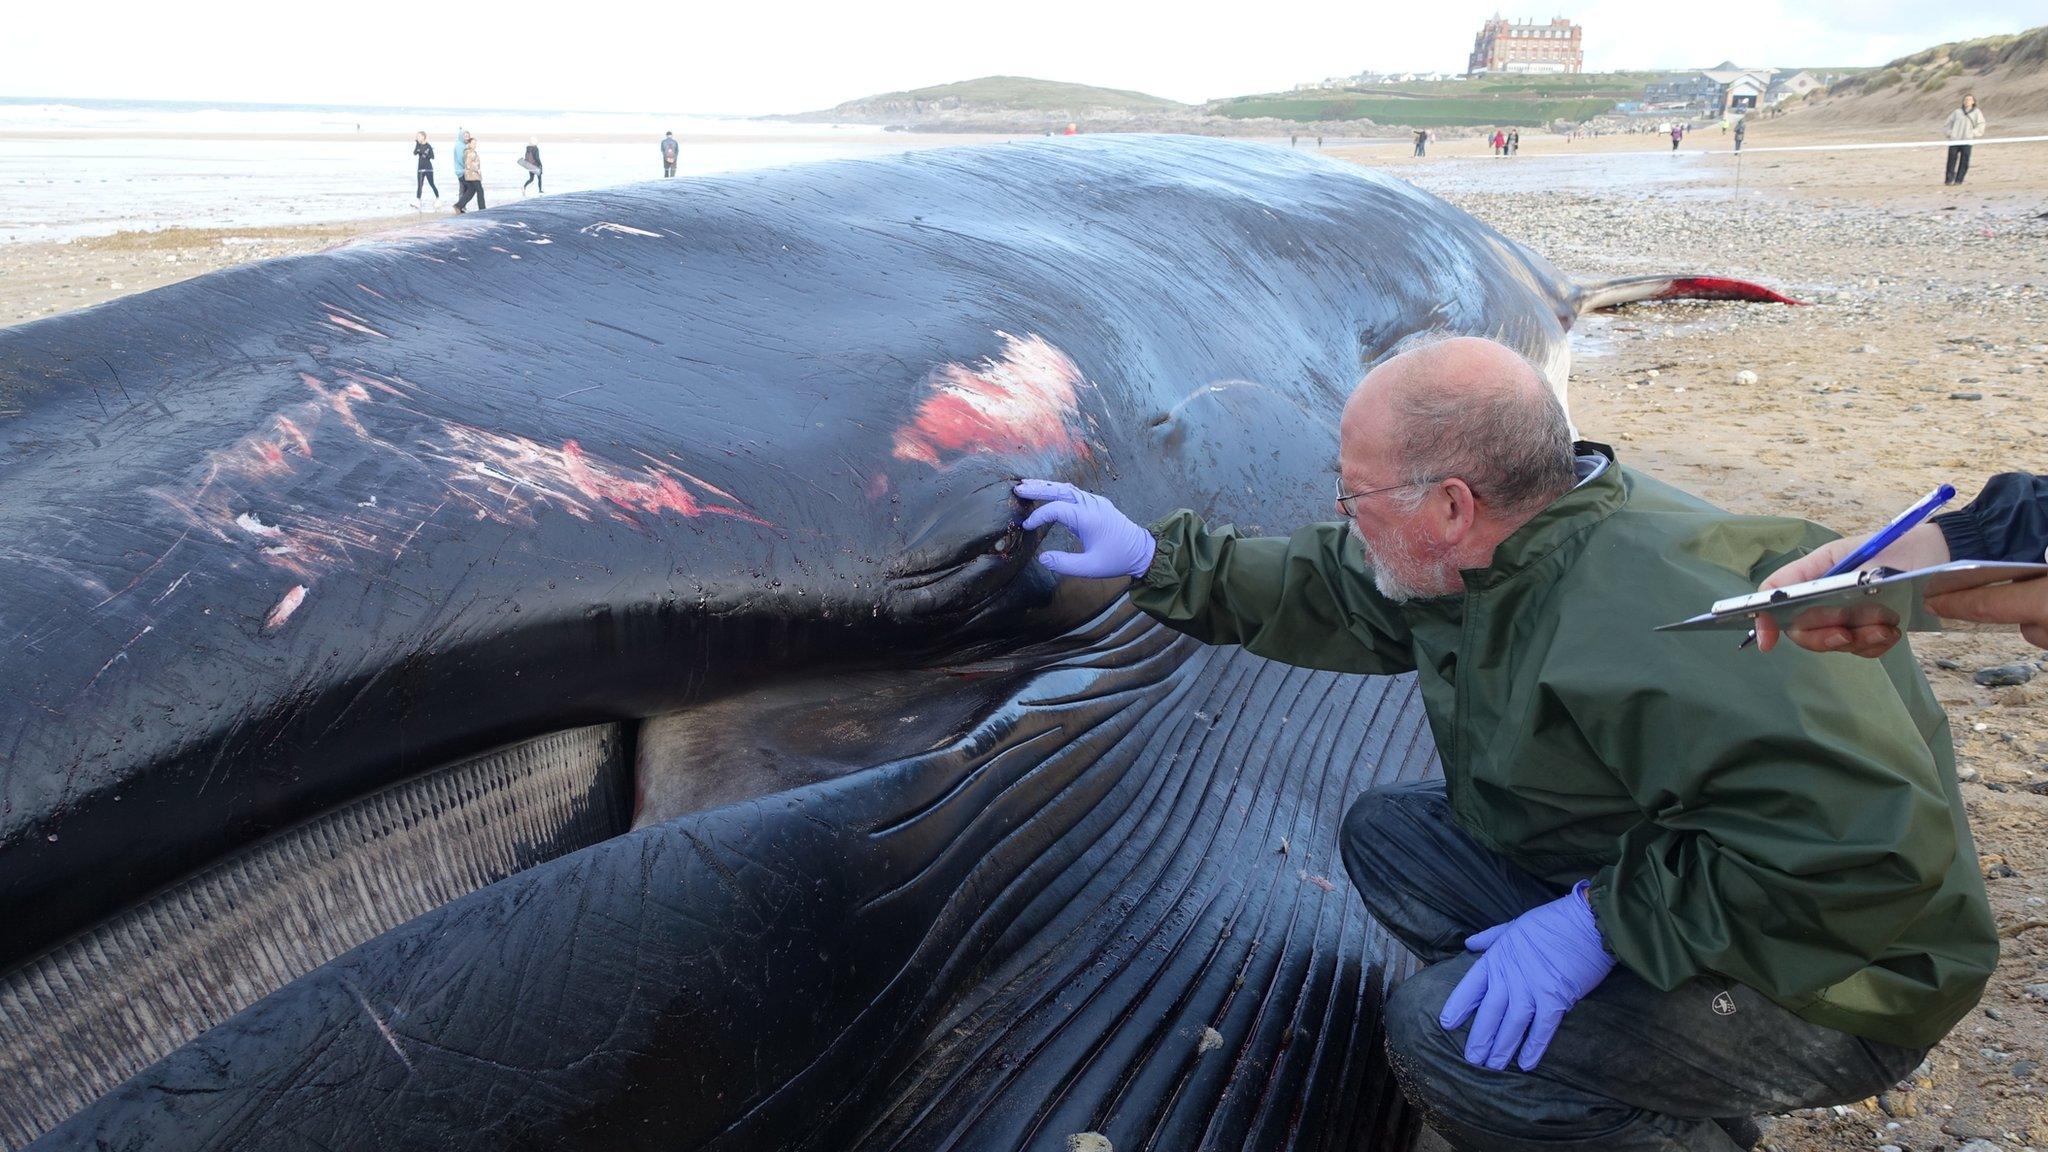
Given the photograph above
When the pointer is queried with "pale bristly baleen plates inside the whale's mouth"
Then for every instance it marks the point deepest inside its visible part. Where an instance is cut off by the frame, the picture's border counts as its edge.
(112, 1001)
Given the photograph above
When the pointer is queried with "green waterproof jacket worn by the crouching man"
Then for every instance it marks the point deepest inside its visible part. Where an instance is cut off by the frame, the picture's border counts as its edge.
(1785, 821)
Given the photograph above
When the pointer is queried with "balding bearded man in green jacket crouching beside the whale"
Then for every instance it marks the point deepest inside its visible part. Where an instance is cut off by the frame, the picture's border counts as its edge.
(1660, 889)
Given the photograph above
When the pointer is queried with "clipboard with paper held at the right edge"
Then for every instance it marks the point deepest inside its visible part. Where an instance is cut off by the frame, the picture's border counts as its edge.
(1857, 600)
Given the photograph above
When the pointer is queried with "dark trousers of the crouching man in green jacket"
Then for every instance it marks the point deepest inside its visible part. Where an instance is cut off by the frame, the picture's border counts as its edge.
(1631, 1067)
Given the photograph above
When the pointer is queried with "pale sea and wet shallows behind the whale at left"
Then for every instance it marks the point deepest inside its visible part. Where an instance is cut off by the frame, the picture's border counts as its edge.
(95, 167)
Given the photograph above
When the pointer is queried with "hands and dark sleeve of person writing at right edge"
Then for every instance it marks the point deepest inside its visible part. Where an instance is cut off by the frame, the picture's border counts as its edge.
(2008, 522)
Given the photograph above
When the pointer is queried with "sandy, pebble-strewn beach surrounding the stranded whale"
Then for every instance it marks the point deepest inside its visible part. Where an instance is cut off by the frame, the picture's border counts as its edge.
(1922, 356)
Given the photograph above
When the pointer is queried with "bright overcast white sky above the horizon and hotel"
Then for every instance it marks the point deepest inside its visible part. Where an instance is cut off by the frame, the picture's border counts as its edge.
(794, 56)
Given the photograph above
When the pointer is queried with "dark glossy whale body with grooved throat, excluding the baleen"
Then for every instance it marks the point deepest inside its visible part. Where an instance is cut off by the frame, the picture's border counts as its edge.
(284, 534)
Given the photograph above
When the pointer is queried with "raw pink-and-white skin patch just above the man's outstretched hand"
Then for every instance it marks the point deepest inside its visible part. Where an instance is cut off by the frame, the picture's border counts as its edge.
(1017, 403)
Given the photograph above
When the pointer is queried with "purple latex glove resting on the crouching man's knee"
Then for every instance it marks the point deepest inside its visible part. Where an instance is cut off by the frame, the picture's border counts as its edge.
(1533, 973)
